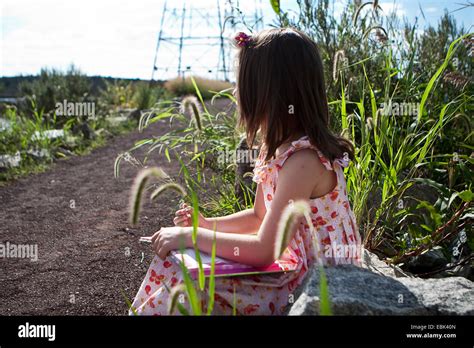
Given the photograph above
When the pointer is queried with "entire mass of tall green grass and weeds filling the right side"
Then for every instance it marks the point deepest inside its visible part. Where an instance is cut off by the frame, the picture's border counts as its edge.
(372, 59)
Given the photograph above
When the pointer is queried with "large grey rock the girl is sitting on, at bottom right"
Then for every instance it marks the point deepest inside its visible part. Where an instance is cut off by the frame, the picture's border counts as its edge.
(378, 289)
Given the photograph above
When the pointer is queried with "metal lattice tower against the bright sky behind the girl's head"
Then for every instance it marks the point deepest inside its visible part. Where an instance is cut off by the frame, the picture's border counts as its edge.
(195, 40)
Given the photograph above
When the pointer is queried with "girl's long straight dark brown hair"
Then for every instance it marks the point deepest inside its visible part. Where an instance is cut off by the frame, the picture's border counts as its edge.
(281, 90)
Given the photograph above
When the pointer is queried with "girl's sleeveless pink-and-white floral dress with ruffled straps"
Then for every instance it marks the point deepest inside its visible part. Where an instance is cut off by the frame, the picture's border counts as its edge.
(270, 294)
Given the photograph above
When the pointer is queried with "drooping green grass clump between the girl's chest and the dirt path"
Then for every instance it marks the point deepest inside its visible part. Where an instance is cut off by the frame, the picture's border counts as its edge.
(200, 137)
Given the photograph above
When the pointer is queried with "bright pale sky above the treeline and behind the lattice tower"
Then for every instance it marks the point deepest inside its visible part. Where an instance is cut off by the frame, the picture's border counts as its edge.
(118, 37)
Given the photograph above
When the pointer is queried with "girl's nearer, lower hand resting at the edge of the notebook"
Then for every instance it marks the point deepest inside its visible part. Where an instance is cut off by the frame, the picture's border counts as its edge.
(170, 238)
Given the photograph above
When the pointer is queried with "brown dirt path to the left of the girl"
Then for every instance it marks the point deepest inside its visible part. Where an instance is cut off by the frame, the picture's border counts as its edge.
(83, 262)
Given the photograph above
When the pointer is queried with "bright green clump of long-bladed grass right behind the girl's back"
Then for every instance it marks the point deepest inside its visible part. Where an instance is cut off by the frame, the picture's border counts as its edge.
(390, 152)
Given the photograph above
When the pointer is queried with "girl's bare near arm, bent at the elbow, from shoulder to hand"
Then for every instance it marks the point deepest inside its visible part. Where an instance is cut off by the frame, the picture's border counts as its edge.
(256, 250)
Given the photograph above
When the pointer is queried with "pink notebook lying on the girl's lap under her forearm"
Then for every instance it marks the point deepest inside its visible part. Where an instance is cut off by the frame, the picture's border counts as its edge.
(223, 267)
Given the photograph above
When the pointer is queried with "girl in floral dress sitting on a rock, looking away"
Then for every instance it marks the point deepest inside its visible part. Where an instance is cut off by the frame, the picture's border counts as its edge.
(281, 98)
